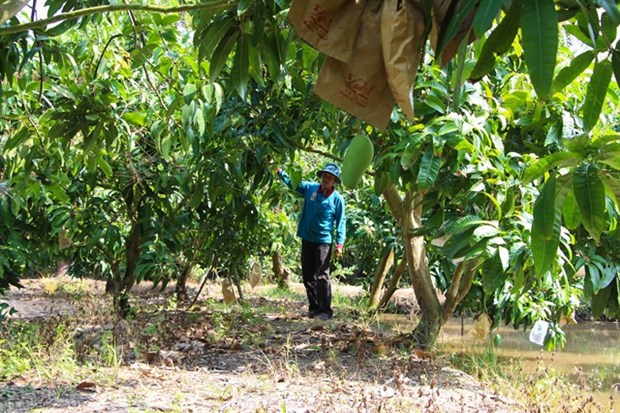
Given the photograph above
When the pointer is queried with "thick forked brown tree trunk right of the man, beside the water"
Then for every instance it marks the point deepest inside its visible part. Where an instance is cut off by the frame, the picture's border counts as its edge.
(407, 213)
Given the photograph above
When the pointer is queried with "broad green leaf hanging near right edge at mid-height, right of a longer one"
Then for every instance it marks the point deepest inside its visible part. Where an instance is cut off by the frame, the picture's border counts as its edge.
(590, 196)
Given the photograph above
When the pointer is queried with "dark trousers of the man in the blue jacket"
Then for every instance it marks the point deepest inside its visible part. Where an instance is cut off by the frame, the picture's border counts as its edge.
(315, 261)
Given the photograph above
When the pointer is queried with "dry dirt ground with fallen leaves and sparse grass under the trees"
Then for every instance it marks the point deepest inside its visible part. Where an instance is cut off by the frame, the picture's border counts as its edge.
(283, 362)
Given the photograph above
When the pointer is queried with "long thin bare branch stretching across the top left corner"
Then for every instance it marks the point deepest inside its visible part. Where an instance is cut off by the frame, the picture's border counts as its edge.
(214, 5)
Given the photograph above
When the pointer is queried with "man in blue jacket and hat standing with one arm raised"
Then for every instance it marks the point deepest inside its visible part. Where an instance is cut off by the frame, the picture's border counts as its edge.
(322, 213)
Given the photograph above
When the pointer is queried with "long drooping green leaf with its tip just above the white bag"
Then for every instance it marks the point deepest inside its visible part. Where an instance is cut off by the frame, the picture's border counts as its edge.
(545, 237)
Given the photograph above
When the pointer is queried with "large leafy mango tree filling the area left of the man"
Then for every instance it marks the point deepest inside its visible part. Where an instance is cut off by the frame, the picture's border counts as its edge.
(140, 183)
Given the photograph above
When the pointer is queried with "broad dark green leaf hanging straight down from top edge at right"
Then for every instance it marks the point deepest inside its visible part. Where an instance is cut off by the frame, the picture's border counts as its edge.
(539, 28)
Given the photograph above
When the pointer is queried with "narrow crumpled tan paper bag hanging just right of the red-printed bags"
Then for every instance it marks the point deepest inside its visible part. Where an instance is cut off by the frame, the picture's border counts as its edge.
(402, 36)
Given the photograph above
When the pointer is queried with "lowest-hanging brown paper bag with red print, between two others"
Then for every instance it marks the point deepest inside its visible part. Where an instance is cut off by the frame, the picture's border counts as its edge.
(360, 86)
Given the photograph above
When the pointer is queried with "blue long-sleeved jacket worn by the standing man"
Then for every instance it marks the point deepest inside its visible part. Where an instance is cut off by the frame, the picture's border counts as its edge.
(320, 213)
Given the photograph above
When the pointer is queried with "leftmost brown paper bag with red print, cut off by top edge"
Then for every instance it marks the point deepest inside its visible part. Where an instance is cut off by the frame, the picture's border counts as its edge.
(330, 26)
